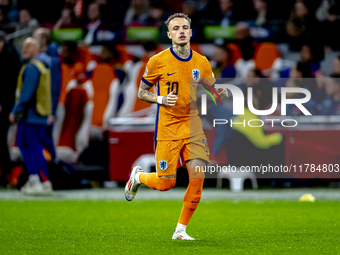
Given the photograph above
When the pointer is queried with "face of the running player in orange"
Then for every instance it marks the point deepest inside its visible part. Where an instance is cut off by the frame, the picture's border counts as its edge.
(179, 31)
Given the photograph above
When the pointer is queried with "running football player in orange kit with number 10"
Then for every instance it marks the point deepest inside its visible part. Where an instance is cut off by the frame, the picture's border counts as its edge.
(179, 135)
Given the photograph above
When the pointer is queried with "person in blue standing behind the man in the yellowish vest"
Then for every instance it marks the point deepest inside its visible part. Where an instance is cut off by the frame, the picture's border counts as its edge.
(49, 53)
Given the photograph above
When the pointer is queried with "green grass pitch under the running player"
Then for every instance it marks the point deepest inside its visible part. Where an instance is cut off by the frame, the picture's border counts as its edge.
(146, 227)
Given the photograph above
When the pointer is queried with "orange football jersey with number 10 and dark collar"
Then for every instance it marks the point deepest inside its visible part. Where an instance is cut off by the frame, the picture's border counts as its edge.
(170, 72)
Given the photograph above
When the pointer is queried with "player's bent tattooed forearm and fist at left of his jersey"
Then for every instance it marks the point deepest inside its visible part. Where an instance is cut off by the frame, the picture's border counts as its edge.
(146, 95)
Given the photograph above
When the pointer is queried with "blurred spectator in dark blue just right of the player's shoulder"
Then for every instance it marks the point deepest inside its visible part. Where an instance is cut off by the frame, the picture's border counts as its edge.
(222, 62)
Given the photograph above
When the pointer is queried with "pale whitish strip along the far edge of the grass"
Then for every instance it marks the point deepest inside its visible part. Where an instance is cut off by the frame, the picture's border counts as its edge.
(177, 194)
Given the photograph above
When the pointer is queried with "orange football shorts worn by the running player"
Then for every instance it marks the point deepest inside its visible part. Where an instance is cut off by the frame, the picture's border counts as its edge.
(172, 154)
